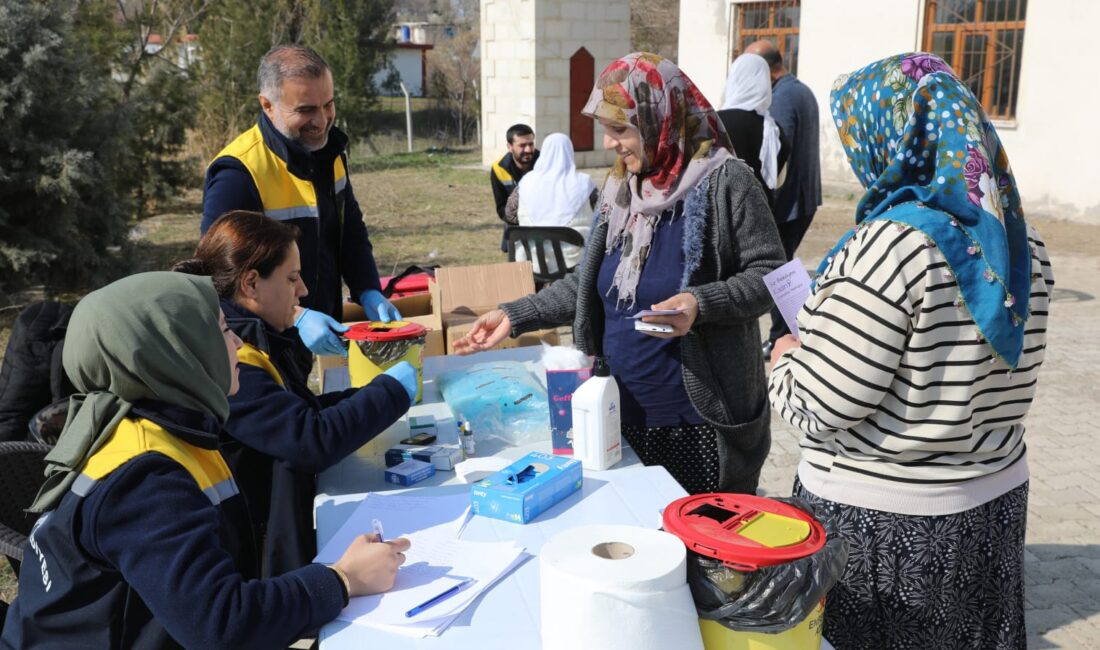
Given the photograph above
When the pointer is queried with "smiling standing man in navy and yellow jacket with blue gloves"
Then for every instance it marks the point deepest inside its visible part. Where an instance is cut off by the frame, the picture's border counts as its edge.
(293, 167)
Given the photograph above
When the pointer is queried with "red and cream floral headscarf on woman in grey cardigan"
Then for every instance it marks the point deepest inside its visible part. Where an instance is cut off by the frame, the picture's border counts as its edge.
(684, 142)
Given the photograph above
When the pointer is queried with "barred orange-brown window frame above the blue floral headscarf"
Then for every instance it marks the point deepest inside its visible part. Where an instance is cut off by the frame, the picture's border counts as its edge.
(991, 30)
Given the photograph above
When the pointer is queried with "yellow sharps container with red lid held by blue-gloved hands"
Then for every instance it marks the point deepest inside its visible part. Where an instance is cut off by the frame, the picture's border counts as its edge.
(379, 346)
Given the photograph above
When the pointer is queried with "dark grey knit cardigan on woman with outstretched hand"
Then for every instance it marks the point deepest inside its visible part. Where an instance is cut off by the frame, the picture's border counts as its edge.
(731, 243)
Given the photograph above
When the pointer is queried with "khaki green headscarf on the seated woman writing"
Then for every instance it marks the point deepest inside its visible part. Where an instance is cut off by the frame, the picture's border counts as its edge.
(152, 336)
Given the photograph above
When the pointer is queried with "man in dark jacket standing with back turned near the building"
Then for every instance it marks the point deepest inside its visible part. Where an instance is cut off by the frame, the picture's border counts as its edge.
(795, 109)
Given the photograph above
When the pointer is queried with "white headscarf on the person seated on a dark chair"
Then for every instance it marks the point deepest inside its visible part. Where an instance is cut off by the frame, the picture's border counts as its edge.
(555, 188)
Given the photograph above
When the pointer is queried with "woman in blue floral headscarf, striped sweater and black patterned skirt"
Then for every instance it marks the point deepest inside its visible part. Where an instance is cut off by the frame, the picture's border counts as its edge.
(920, 352)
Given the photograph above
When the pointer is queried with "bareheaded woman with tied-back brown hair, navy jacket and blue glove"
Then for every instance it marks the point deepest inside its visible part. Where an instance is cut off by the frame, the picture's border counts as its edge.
(280, 435)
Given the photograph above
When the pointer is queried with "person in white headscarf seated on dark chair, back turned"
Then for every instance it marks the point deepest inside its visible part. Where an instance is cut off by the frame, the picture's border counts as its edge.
(555, 194)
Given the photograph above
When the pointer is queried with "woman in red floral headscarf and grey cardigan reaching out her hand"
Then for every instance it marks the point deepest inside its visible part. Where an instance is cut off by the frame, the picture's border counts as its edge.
(681, 226)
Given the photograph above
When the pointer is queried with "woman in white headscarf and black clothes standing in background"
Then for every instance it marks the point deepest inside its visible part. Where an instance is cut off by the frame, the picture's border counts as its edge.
(757, 138)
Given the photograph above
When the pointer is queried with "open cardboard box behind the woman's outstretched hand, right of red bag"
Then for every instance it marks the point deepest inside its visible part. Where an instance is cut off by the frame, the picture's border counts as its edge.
(469, 292)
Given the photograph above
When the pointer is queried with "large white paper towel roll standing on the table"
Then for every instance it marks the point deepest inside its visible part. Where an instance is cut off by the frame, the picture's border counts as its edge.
(617, 588)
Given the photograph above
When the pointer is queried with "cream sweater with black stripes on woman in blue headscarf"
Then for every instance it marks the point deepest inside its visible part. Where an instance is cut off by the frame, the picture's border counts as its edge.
(903, 406)
